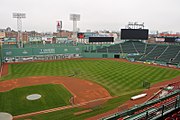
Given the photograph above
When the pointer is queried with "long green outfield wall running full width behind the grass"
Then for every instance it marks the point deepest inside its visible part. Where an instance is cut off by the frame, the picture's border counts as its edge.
(55, 51)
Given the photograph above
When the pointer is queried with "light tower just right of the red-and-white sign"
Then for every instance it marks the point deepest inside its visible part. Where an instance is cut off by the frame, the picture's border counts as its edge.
(75, 18)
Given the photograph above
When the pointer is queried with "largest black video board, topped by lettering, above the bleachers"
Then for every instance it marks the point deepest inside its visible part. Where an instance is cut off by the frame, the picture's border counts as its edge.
(134, 34)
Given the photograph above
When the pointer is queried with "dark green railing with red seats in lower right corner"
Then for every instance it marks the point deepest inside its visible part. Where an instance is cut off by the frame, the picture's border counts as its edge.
(153, 112)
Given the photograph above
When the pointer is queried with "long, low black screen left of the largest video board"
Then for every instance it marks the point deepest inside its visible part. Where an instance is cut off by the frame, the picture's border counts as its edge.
(101, 39)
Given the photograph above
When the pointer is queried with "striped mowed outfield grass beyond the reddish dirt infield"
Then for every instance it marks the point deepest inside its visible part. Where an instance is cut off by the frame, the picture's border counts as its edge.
(117, 77)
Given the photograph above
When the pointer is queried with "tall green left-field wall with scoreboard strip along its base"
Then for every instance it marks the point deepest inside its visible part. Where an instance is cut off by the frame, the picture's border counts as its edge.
(40, 53)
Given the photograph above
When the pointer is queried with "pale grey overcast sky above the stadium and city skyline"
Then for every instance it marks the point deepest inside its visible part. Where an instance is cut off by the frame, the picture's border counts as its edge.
(41, 15)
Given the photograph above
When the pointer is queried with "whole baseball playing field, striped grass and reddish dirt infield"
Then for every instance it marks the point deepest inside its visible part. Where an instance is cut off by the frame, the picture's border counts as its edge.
(119, 79)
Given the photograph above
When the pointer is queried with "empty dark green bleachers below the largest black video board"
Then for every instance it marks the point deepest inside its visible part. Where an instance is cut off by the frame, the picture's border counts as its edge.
(167, 53)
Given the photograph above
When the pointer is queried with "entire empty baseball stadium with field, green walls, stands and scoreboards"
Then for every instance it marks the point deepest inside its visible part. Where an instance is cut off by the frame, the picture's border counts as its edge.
(129, 80)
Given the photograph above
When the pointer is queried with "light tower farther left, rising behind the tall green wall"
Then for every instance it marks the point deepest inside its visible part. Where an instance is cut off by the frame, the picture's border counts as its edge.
(19, 17)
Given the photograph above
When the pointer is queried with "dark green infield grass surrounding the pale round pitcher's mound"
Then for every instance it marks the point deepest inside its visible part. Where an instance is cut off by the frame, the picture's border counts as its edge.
(15, 101)
